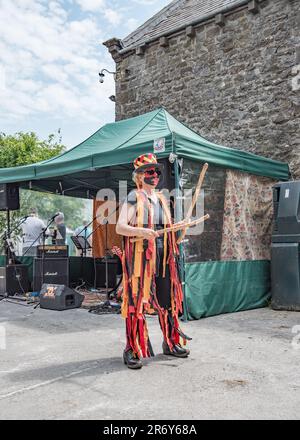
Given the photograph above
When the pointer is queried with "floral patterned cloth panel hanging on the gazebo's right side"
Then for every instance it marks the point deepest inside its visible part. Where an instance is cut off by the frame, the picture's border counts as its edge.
(247, 222)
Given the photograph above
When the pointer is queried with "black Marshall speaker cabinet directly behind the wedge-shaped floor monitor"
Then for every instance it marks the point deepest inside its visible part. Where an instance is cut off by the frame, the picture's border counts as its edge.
(56, 271)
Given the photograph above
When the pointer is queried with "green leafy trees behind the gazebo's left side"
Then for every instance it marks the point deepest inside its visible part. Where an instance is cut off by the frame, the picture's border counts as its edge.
(26, 148)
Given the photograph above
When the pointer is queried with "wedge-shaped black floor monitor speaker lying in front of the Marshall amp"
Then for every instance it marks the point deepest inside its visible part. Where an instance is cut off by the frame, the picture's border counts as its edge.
(59, 297)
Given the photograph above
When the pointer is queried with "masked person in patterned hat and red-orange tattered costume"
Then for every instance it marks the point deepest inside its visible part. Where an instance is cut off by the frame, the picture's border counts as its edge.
(150, 269)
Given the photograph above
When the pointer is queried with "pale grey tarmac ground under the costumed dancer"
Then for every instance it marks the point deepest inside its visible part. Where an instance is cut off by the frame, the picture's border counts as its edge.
(68, 365)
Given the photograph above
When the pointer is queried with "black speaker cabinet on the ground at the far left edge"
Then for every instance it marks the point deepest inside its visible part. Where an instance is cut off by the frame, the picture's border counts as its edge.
(14, 279)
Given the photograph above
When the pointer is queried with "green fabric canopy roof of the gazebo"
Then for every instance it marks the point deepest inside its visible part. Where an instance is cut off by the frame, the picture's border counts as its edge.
(106, 156)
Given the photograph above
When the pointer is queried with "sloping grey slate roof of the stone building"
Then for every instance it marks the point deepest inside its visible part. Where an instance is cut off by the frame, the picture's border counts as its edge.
(177, 13)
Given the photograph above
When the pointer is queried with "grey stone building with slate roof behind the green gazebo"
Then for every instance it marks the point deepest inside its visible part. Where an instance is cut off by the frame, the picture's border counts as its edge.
(229, 69)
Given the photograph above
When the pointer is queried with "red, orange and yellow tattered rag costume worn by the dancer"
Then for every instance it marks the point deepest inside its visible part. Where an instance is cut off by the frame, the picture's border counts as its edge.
(139, 275)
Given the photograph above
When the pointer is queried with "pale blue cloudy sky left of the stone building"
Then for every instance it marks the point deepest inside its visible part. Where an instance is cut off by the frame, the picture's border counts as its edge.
(50, 56)
